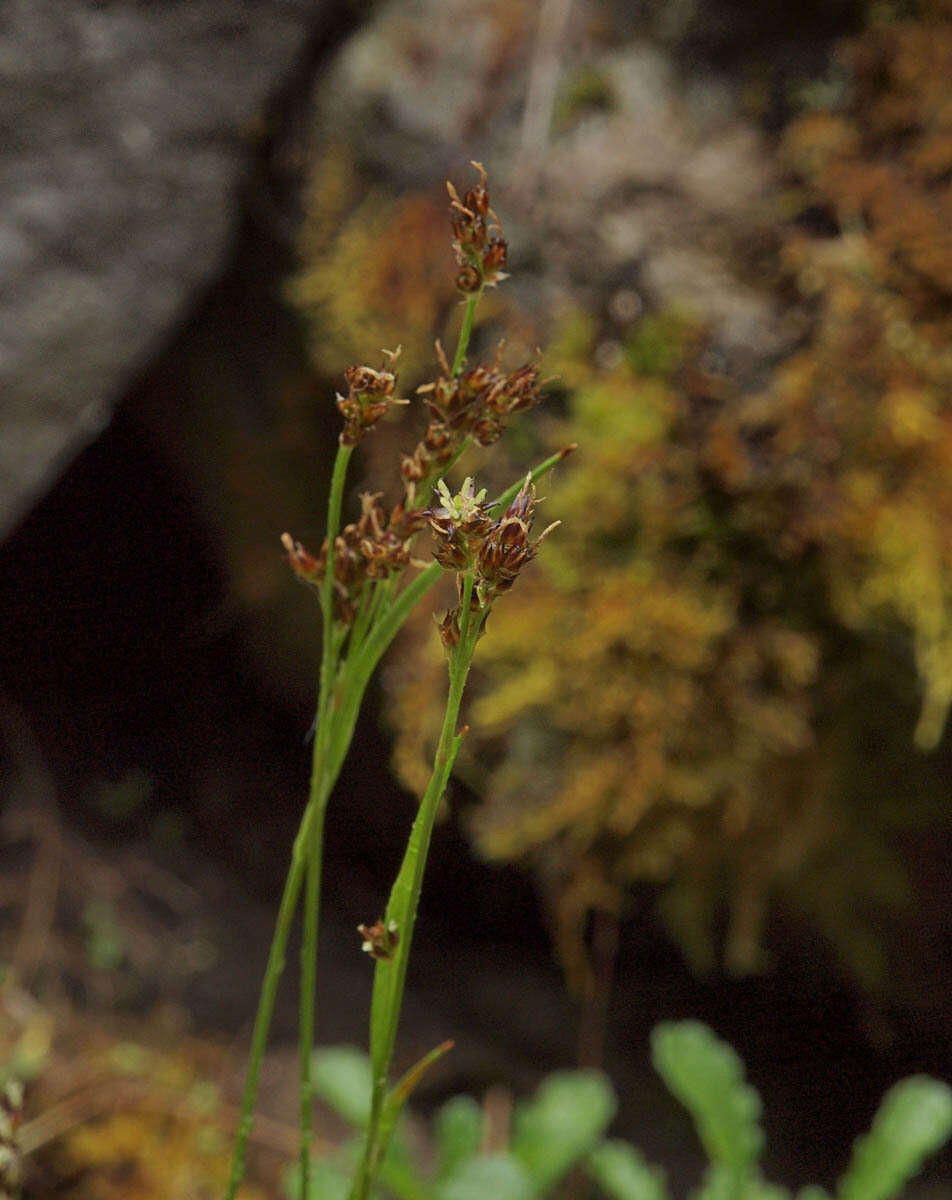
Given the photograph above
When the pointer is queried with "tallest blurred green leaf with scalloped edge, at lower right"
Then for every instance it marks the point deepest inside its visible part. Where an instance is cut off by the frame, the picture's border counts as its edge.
(709, 1079)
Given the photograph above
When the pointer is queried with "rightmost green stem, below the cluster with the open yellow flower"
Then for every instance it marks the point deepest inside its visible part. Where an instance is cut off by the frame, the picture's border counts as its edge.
(390, 979)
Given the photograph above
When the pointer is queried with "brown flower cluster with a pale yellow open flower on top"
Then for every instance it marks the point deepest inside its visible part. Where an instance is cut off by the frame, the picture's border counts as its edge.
(468, 538)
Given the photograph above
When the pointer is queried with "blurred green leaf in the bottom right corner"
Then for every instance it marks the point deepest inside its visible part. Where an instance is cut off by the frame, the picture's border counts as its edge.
(914, 1120)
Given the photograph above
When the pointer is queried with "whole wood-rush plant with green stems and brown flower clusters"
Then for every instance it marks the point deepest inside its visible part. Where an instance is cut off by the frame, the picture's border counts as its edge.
(369, 579)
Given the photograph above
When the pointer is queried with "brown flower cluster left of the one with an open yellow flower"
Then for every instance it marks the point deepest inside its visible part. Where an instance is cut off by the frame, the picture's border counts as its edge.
(370, 549)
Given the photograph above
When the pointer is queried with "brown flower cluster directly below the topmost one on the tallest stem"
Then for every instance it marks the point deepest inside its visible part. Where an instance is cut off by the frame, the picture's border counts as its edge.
(475, 405)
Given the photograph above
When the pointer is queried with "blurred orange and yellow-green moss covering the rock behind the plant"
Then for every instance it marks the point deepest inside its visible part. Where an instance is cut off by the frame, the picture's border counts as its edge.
(716, 677)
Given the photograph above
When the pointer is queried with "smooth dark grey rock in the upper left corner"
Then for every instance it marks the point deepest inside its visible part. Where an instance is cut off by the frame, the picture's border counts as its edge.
(125, 129)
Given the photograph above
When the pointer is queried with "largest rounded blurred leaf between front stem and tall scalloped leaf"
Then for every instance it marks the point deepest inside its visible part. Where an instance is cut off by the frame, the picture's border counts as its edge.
(561, 1124)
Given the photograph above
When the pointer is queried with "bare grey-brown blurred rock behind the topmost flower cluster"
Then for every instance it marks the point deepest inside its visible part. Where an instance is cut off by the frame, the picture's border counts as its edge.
(631, 177)
